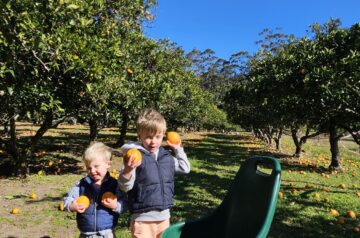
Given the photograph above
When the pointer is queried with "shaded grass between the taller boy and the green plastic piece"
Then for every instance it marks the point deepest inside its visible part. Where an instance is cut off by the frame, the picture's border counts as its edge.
(218, 158)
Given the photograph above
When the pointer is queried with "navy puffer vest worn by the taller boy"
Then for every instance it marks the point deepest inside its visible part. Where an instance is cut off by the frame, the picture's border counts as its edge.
(154, 184)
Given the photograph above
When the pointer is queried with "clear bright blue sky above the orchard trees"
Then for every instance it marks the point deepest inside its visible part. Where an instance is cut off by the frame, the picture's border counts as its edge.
(230, 26)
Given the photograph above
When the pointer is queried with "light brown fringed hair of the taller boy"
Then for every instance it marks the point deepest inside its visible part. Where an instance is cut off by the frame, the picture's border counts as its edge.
(150, 121)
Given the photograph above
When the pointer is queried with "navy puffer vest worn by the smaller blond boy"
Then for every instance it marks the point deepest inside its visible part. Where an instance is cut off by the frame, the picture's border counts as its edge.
(97, 217)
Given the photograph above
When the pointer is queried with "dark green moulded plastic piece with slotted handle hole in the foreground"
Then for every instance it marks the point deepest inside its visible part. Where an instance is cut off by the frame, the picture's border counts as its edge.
(246, 211)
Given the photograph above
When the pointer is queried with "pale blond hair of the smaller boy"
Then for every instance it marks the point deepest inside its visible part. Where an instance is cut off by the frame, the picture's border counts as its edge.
(96, 150)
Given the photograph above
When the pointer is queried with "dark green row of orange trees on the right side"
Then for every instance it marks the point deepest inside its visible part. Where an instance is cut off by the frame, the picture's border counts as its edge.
(310, 82)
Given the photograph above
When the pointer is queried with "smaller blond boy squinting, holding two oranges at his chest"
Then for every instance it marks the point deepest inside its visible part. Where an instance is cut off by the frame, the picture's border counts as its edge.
(101, 217)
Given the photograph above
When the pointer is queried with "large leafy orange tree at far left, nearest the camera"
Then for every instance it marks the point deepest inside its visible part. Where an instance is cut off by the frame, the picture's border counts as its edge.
(52, 54)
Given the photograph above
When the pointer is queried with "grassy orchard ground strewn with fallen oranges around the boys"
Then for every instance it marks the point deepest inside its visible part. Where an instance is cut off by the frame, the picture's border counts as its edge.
(309, 189)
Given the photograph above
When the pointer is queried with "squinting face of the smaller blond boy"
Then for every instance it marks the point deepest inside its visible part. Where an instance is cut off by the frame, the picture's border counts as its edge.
(97, 169)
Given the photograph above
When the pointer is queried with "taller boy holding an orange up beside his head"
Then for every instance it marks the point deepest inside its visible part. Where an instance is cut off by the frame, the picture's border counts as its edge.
(149, 183)
